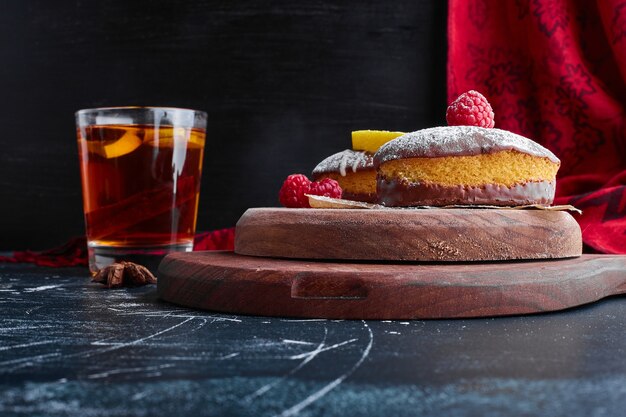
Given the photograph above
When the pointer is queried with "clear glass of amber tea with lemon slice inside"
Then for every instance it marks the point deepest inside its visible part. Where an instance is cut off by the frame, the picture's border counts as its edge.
(140, 171)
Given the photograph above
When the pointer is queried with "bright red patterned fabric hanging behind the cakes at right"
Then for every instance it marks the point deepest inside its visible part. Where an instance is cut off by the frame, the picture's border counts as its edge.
(555, 71)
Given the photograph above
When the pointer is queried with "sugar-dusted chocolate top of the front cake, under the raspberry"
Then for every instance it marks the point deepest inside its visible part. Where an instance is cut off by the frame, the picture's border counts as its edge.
(458, 141)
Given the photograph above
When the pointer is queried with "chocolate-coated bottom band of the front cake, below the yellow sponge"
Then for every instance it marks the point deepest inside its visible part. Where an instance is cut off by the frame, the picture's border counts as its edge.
(393, 193)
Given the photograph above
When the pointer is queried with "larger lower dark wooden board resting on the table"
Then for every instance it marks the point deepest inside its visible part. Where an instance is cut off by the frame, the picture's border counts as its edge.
(231, 283)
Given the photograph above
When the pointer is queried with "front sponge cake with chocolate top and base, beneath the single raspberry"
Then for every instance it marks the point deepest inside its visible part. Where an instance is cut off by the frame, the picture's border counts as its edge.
(464, 165)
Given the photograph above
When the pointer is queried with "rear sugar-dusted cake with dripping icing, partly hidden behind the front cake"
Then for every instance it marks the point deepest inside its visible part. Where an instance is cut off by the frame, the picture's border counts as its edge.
(354, 171)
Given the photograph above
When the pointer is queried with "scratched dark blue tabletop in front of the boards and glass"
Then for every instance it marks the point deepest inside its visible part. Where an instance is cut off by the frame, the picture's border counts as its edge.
(71, 348)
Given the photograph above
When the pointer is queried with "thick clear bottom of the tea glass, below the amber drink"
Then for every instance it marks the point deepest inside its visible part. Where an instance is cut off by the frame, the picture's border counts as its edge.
(102, 256)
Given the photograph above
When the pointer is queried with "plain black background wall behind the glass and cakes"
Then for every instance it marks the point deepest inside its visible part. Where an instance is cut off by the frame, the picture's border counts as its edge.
(284, 82)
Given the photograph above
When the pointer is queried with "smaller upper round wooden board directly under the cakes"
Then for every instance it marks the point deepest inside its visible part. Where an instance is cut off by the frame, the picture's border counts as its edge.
(449, 235)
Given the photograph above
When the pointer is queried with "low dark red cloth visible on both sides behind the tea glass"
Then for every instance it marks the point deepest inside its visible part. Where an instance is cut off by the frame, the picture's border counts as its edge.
(74, 252)
